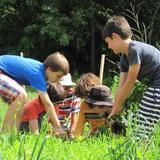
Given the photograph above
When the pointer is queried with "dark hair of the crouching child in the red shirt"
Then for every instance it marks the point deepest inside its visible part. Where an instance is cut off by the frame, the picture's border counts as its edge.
(55, 91)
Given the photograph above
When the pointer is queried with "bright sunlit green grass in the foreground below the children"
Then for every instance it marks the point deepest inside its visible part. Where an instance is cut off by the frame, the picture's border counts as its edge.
(14, 146)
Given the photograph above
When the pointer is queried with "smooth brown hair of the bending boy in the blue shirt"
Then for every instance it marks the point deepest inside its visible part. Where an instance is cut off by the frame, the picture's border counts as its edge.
(57, 62)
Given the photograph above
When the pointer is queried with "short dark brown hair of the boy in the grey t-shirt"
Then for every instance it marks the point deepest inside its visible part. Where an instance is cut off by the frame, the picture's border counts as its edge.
(119, 25)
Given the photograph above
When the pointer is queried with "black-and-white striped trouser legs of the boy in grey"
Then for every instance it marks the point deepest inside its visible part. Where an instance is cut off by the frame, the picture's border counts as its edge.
(148, 112)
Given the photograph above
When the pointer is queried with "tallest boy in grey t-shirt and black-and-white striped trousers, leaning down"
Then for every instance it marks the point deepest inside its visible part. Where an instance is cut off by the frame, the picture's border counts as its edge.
(138, 61)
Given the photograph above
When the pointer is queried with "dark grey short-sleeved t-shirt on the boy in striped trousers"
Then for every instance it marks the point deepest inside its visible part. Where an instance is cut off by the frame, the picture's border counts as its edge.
(149, 59)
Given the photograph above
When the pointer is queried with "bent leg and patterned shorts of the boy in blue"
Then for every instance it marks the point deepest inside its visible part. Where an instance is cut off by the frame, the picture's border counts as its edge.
(17, 98)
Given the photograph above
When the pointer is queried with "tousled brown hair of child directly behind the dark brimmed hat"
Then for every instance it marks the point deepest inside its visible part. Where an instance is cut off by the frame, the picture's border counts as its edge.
(86, 82)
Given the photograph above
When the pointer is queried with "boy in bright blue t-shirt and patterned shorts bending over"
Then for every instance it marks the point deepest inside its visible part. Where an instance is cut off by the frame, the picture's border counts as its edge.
(16, 71)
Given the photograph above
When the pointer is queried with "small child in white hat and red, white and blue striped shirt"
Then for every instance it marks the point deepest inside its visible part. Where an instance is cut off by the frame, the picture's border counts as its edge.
(71, 105)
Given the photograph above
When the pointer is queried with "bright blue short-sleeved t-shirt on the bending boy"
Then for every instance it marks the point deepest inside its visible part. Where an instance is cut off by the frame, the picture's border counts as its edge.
(24, 70)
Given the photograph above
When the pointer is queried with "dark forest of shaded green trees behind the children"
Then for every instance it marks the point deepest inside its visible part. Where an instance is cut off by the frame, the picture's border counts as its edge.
(40, 27)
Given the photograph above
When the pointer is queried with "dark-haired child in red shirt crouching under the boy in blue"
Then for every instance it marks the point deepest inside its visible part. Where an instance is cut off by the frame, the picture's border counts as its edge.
(34, 110)
